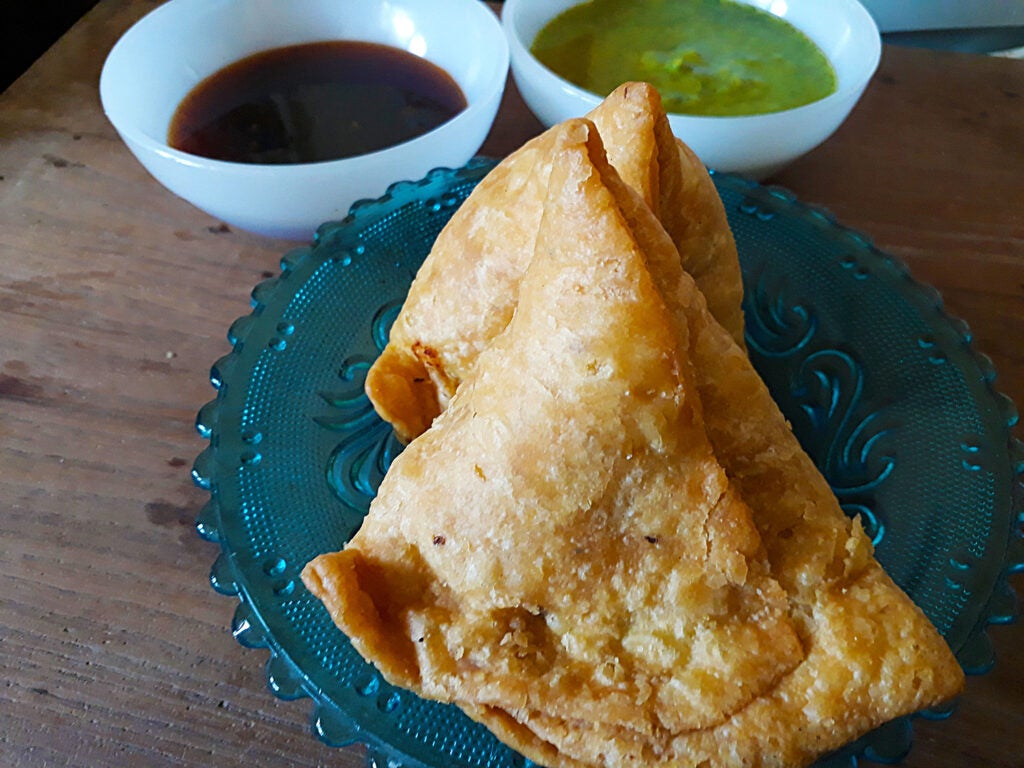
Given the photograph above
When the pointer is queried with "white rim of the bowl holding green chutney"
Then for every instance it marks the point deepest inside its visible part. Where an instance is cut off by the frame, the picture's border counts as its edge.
(522, 53)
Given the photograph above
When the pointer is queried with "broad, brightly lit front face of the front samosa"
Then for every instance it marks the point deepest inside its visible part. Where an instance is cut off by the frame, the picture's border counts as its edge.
(564, 541)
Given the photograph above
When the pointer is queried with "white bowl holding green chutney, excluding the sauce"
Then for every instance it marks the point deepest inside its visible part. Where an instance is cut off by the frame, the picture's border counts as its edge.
(757, 145)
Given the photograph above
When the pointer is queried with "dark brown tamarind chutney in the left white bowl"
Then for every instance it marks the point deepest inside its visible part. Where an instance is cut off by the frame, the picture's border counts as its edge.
(314, 103)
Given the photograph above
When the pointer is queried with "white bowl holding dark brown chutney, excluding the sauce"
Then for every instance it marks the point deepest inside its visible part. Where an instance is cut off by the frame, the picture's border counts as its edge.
(160, 60)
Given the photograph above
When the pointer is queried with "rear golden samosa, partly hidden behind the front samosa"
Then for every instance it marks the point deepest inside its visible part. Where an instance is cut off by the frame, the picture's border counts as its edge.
(467, 289)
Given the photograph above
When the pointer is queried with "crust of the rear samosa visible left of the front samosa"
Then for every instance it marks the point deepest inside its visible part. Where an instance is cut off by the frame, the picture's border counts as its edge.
(462, 297)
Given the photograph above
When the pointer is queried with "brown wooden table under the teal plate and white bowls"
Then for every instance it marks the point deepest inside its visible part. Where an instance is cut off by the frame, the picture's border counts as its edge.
(115, 298)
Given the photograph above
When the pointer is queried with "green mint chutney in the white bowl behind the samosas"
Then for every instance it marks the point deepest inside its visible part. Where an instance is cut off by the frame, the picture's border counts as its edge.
(705, 57)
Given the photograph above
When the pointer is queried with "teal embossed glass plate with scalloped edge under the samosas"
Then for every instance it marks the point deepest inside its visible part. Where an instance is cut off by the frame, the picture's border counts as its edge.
(882, 388)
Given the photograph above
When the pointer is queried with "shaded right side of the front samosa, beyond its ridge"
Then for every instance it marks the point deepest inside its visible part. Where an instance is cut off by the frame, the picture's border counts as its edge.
(872, 655)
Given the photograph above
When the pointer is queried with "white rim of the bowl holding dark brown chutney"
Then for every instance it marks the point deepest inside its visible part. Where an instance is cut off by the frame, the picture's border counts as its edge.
(485, 21)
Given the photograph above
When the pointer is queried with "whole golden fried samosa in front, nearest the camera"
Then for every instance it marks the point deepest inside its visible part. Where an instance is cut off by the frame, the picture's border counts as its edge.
(564, 556)
